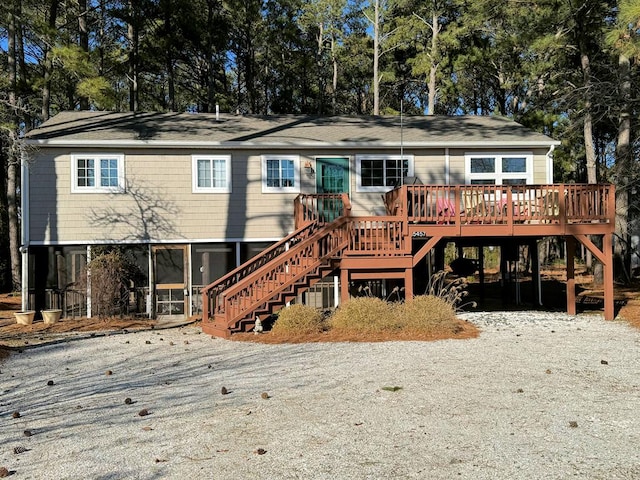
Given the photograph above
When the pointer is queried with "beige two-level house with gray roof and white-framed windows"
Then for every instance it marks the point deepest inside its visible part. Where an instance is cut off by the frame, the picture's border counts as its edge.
(192, 196)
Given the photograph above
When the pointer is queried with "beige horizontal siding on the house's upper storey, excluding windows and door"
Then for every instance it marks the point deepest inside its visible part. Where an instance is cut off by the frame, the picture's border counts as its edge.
(159, 205)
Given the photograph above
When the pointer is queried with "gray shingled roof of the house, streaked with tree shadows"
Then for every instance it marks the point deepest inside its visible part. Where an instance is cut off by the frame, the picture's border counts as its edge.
(197, 129)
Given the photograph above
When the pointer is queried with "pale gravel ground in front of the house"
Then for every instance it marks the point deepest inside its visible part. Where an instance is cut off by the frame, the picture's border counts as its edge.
(535, 396)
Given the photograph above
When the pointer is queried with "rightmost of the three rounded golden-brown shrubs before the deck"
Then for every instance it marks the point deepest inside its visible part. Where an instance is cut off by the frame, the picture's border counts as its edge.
(427, 314)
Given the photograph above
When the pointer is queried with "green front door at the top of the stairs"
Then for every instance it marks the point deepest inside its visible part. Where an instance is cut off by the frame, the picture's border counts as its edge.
(332, 176)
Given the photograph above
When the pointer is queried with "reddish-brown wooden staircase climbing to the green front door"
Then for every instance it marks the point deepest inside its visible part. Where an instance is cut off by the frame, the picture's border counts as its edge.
(267, 282)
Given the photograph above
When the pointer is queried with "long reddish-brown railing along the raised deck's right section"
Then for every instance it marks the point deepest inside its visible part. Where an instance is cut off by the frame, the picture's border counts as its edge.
(500, 204)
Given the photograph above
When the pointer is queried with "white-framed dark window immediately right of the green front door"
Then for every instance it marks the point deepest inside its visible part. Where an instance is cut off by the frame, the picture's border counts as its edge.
(381, 173)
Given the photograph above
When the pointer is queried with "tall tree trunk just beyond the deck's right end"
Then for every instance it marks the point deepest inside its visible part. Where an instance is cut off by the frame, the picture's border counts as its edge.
(624, 168)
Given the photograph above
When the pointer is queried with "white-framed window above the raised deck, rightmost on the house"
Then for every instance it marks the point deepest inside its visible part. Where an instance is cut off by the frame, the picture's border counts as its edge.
(510, 168)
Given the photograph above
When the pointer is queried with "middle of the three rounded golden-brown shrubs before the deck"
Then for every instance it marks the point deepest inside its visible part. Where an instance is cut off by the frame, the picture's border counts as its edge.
(364, 315)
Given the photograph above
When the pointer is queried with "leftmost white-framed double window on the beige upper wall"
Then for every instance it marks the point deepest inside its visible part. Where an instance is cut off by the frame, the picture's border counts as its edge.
(97, 173)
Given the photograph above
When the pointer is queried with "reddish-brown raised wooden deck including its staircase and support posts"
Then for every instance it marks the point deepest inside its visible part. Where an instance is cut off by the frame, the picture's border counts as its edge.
(418, 218)
